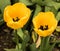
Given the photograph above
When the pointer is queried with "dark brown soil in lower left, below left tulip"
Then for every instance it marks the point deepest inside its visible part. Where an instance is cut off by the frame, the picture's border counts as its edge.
(6, 38)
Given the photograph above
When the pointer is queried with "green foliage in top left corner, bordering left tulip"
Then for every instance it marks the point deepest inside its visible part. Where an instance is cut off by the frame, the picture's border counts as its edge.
(3, 4)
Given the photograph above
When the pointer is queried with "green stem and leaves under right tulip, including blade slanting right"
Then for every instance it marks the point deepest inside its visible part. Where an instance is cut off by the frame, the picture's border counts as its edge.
(45, 44)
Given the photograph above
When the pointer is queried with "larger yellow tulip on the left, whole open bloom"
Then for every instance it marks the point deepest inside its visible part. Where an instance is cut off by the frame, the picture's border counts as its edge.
(17, 15)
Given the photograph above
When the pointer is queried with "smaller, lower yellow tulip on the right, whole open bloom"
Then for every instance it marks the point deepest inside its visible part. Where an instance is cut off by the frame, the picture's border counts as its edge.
(44, 23)
